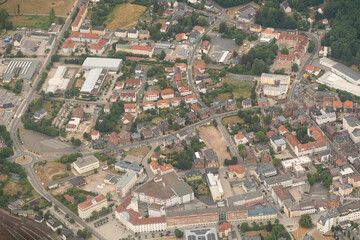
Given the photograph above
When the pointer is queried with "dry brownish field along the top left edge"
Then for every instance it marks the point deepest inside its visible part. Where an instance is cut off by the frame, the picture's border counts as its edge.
(61, 7)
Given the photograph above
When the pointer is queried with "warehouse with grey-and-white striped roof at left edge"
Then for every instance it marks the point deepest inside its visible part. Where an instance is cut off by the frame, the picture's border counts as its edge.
(20, 69)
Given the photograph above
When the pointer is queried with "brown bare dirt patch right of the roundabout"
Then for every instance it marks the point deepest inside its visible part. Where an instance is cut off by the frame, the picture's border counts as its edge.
(51, 169)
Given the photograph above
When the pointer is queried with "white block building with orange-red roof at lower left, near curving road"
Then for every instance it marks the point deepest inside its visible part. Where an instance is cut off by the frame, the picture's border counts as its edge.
(86, 208)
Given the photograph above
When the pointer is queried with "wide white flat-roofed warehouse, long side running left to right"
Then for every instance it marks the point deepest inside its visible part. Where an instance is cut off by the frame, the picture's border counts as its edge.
(109, 64)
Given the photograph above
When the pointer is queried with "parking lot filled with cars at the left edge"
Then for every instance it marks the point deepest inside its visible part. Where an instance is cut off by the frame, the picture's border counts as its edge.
(7, 114)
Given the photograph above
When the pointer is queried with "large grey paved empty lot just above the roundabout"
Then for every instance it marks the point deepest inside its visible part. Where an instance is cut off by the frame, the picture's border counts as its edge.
(45, 145)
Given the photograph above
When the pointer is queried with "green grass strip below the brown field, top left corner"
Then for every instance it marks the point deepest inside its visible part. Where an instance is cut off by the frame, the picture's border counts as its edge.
(41, 22)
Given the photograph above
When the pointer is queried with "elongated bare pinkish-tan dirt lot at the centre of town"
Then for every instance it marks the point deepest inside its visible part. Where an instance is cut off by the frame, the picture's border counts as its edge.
(215, 140)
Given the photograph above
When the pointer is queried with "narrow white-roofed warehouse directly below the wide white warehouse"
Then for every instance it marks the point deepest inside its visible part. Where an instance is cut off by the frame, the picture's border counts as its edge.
(94, 81)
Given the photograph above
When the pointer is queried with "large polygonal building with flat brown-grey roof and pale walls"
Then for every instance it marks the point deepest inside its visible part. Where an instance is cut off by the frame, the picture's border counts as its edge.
(166, 190)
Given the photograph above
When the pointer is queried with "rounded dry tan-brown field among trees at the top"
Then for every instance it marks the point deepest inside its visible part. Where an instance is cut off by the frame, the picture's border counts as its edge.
(124, 16)
